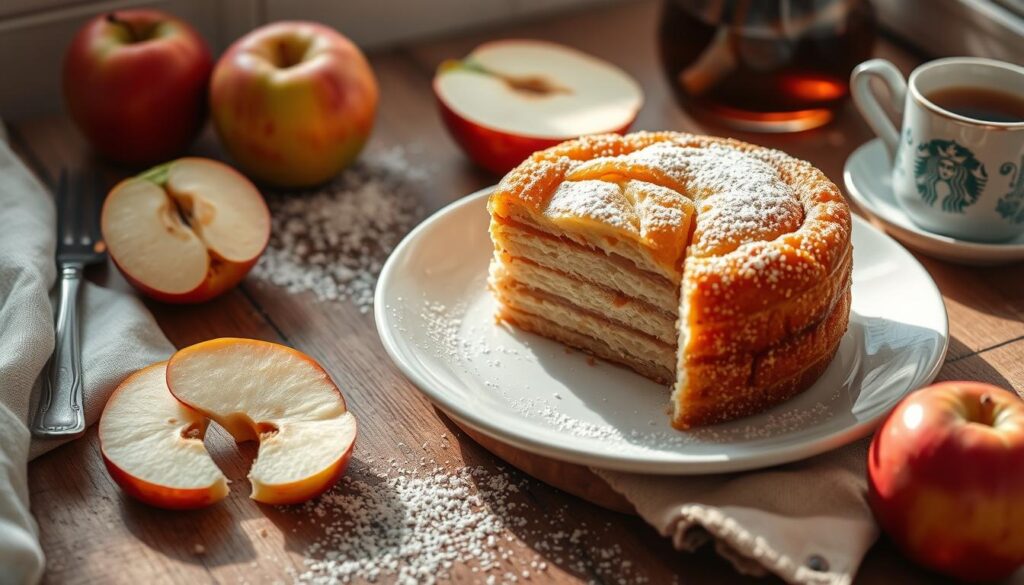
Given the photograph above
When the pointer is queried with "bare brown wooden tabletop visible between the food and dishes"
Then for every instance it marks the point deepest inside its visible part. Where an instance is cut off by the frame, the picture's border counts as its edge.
(94, 534)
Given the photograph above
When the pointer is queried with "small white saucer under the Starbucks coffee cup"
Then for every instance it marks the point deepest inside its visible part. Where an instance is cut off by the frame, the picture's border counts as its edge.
(868, 181)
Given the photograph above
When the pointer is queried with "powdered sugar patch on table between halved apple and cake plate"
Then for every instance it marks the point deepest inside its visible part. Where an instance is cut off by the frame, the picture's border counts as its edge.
(333, 241)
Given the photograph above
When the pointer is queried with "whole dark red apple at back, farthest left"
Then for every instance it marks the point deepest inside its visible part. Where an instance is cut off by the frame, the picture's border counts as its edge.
(136, 85)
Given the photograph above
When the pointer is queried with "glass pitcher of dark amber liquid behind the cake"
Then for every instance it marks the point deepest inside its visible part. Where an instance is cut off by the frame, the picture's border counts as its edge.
(779, 66)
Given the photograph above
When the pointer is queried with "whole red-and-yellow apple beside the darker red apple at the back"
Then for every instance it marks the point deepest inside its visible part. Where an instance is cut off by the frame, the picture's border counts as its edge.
(294, 103)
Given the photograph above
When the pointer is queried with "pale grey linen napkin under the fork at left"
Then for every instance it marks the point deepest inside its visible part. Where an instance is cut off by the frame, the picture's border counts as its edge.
(119, 337)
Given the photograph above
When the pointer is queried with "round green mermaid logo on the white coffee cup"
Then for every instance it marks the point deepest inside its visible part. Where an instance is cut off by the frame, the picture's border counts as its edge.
(948, 173)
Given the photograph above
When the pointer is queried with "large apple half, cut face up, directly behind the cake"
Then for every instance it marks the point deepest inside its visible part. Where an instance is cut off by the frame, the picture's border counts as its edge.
(509, 99)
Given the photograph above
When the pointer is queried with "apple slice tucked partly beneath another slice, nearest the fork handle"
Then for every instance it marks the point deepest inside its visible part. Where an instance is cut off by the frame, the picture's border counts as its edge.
(153, 445)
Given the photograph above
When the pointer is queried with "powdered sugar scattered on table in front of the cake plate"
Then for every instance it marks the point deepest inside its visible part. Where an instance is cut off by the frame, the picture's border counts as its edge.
(413, 523)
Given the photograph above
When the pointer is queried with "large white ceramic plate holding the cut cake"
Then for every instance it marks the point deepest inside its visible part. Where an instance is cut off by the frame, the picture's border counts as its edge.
(436, 319)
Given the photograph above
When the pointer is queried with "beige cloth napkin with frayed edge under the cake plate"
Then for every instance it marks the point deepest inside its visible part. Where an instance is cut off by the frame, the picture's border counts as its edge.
(808, 523)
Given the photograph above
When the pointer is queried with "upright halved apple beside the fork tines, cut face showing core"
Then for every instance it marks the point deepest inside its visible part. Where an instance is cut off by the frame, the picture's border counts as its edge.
(187, 231)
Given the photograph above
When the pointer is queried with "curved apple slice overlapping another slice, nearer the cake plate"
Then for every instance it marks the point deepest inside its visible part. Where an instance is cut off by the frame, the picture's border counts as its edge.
(282, 398)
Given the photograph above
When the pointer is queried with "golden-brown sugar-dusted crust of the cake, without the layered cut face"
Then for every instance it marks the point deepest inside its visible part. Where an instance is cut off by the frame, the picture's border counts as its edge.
(758, 242)
